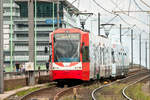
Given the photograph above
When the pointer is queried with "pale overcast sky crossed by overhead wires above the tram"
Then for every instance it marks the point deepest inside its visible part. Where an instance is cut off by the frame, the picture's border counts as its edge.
(138, 21)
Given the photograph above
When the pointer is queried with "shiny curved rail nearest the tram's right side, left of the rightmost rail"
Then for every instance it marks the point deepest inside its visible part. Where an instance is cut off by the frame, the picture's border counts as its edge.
(94, 91)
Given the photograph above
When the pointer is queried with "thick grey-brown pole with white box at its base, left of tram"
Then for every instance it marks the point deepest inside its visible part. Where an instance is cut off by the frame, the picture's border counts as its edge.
(31, 39)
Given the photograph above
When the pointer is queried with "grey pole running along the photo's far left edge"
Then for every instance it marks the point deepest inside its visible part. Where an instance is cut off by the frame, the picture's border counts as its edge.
(1, 49)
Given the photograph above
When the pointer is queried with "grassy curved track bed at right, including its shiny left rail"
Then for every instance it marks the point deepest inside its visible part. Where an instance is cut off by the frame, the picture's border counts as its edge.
(113, 90)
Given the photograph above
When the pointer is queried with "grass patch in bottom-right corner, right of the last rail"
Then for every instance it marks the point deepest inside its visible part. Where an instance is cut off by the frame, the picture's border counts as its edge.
(136, 92)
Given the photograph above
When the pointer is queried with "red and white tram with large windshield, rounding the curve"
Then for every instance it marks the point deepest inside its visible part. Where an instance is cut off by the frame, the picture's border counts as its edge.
(78, 54)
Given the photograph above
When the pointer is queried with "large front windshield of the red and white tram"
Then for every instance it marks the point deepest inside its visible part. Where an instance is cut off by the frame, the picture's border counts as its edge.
(67, 47)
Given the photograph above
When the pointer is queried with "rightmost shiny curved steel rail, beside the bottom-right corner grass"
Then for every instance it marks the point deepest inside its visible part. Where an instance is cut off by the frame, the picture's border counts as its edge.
(123, 91)
